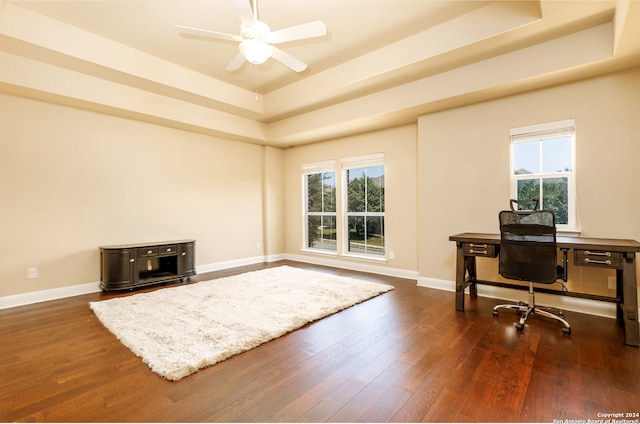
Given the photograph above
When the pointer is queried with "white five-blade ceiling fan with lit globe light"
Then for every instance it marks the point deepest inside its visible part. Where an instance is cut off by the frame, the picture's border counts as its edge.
(257, 40)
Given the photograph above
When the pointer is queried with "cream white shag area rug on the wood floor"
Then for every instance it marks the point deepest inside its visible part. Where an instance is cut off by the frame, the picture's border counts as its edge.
(179, 330)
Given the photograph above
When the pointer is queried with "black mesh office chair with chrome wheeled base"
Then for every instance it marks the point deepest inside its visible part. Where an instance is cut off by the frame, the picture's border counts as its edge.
(528, 252)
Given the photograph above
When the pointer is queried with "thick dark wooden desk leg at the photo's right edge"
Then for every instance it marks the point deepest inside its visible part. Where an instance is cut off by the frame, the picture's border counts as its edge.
(630, 300)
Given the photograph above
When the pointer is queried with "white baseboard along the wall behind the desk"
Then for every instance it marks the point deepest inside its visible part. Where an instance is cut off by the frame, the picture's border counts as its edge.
(566, 303)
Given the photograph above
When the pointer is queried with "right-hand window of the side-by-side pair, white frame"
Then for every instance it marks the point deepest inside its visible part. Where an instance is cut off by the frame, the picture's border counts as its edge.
(365, 206)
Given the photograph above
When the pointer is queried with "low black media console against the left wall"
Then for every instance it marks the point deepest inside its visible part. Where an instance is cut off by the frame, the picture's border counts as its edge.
(129, 266)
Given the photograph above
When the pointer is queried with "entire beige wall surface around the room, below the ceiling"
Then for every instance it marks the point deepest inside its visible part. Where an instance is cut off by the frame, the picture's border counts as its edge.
(72, 180)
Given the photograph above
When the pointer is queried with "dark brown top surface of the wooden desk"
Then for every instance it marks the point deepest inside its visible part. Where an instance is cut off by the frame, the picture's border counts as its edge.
(618, 245)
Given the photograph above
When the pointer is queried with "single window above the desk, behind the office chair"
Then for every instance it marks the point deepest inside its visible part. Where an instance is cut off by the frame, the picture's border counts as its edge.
(543, 167)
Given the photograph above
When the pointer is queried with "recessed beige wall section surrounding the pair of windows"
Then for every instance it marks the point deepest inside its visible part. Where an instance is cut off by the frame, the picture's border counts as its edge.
(399, 148)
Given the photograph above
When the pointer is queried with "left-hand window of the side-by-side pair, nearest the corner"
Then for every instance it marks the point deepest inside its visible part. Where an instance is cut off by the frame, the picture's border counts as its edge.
(320, 209)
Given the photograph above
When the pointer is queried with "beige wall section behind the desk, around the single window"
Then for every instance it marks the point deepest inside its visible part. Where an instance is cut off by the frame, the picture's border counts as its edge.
(463, 164)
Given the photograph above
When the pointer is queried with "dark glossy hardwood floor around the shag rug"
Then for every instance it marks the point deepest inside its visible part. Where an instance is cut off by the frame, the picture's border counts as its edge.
(406, 355)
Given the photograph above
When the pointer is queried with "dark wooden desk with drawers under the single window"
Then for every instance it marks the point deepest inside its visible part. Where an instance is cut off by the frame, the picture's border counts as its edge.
(590, 252)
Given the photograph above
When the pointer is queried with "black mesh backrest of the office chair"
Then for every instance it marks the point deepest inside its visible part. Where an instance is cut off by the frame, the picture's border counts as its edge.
(528, 250)
